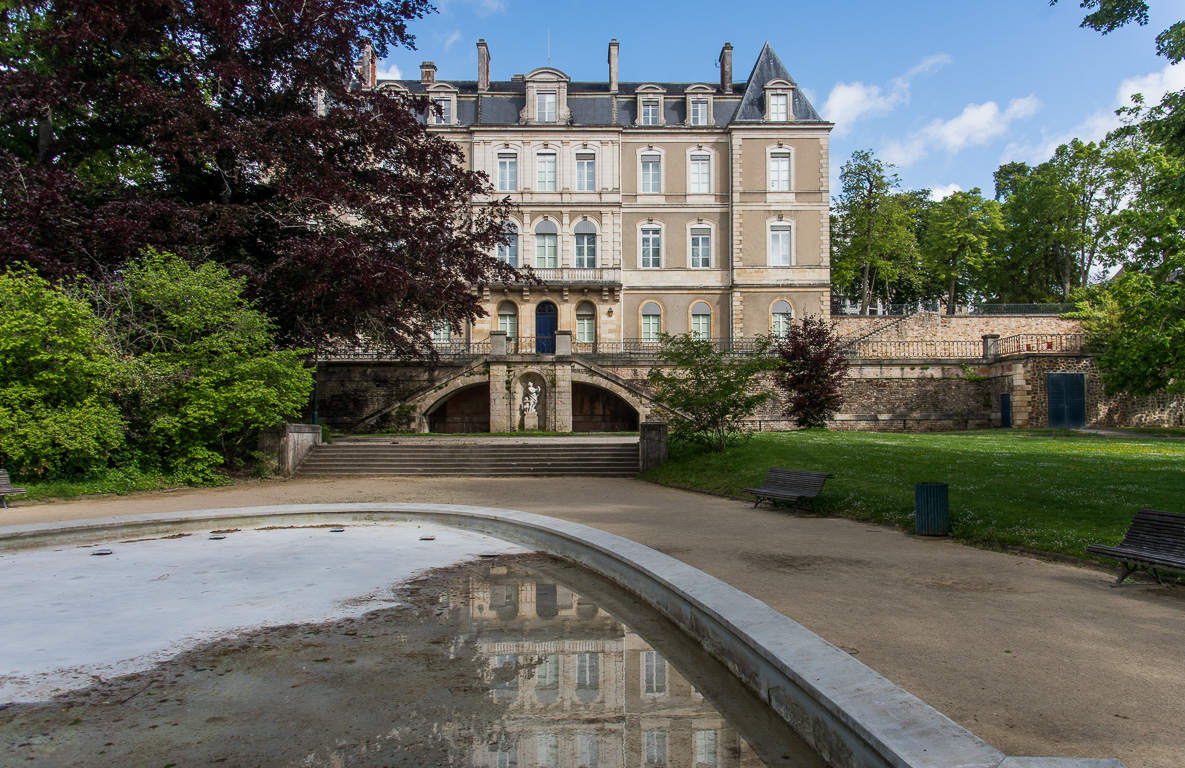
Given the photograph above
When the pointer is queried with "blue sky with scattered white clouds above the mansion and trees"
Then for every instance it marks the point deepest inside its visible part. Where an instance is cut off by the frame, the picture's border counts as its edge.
(946, 91)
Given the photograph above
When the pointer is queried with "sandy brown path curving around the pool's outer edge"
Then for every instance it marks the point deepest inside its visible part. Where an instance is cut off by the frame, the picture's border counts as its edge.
(1037, 658)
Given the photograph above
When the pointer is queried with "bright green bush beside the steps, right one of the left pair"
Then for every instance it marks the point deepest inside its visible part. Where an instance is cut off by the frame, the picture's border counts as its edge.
(207, 375)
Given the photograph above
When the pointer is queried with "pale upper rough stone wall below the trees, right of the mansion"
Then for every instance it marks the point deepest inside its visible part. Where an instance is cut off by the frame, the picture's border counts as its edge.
(931, 327)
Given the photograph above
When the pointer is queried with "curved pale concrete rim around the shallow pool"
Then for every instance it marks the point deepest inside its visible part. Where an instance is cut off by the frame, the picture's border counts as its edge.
(850, 714)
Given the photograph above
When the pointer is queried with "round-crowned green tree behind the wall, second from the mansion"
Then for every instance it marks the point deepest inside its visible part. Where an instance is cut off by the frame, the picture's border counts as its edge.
(958, 242)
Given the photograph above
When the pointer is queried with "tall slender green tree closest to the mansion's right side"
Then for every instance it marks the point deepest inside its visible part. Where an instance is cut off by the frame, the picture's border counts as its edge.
(873, 231)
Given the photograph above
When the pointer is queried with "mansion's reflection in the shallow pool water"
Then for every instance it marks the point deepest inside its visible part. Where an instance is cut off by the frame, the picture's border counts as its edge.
(581, 690)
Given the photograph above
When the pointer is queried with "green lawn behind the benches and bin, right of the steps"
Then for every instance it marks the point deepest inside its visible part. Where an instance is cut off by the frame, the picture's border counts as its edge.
(1053, 491)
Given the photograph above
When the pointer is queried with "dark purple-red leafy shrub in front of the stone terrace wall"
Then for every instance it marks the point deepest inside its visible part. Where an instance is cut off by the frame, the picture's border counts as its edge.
(811, 370)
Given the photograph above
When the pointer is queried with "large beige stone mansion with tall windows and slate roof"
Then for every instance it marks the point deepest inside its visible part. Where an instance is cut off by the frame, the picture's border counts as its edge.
(645, 208)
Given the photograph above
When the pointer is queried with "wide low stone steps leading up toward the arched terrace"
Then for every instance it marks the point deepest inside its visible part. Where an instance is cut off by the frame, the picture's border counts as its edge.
(492, 457)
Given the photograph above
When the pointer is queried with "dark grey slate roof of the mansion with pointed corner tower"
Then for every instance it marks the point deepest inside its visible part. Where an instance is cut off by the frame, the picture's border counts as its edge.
(592, 104)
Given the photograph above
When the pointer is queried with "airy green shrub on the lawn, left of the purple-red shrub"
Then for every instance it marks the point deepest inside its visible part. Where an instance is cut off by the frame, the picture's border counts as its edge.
(707, 393)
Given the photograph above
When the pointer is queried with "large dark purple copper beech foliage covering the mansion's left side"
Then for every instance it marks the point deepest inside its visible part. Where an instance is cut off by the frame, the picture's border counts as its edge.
(229, 131)
